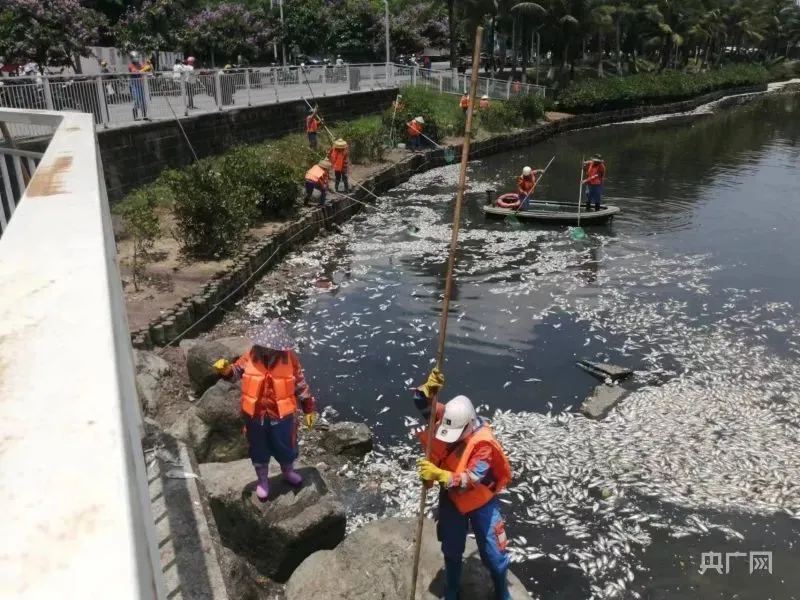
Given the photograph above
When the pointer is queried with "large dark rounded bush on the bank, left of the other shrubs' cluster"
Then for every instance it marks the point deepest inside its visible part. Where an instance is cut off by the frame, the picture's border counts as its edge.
(212, 212)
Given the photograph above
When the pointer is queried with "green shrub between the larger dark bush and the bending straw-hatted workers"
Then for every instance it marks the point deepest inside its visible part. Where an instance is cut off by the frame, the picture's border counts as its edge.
(274, 183)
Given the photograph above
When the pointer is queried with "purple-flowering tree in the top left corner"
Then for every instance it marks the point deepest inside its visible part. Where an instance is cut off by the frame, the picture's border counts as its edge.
(47, 32)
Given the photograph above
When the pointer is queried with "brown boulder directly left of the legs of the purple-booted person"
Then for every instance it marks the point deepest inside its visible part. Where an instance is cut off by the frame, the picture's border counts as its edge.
(215, 427)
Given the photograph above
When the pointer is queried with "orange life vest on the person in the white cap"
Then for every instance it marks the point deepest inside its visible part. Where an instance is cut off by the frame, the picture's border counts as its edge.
(456, 458)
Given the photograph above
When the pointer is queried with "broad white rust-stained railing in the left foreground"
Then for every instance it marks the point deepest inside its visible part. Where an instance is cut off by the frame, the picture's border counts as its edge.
(76, 520)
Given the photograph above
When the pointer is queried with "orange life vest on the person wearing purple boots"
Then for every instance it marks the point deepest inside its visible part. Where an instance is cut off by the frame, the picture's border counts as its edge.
(269, 391)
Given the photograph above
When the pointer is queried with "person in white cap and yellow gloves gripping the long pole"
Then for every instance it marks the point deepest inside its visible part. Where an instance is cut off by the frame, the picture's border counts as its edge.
(471, 468)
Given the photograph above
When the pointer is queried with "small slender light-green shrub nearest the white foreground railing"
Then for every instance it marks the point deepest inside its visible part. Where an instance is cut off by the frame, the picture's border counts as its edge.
(140, 222)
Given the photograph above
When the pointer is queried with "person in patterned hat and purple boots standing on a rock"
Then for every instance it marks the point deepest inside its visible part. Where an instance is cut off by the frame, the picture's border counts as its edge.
(272, 384)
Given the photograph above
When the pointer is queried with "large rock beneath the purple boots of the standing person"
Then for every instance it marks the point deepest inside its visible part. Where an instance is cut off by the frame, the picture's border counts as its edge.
(279, 534)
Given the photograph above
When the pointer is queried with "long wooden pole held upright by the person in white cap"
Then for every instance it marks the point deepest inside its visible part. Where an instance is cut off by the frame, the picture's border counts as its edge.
(448, 288)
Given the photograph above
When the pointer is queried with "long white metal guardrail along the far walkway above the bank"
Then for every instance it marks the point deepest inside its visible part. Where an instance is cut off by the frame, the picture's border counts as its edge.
(118, 99)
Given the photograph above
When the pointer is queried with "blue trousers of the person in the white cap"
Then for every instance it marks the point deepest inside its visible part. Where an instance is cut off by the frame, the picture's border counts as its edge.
(489, 529)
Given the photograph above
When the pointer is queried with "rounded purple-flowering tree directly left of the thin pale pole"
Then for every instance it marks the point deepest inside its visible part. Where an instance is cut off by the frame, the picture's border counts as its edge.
(228, 30)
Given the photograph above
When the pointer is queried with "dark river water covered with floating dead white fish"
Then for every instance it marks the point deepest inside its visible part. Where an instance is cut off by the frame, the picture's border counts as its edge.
(695, 286)
